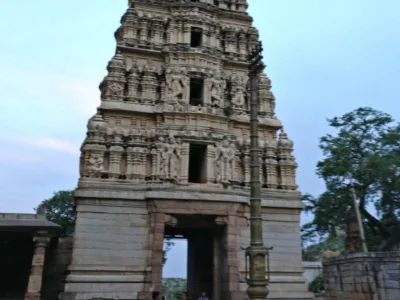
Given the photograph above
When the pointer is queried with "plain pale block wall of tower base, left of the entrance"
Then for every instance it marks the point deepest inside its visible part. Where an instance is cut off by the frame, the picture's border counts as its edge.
(111, 250)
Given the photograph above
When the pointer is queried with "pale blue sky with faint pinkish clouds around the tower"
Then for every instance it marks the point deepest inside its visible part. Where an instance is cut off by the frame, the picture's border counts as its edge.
(324, 57)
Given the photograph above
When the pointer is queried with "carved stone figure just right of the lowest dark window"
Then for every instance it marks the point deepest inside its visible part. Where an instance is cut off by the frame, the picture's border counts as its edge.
(224, 161)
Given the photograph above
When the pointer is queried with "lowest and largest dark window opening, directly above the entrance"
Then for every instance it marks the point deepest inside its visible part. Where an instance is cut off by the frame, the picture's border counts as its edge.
(197, 163)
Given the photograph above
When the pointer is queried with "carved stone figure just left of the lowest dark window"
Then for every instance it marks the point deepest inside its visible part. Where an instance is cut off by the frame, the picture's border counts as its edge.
(170, 158)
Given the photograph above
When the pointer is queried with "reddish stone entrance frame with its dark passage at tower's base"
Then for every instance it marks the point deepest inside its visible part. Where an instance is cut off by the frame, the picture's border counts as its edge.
(211, 231)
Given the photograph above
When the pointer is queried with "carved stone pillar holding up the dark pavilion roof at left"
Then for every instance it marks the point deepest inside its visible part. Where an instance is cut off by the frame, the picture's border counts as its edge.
(35, 279)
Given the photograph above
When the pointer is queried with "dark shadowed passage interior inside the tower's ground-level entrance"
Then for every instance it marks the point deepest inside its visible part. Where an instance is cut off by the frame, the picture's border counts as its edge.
(204, 254)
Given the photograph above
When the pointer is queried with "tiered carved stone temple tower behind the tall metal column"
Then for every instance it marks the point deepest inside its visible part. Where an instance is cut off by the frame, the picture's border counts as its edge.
(167, 156)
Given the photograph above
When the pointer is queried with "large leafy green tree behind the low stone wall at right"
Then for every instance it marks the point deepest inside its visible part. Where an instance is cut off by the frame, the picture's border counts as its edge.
(366, 151)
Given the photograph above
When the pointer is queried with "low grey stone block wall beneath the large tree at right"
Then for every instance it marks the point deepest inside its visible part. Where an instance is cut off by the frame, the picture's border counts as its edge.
(366, 276)
